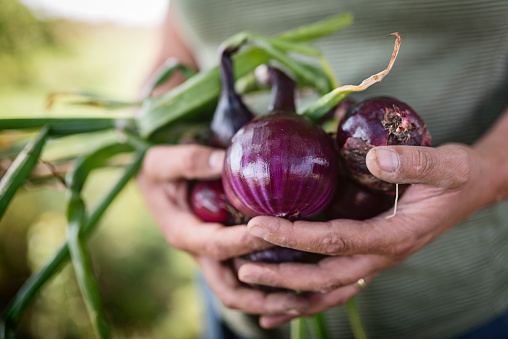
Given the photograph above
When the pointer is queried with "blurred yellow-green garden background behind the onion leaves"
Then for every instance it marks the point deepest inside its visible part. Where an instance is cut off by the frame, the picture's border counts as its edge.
(147, 287)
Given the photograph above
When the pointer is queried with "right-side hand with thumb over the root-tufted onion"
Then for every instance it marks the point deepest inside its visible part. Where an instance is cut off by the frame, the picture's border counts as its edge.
(449, 188)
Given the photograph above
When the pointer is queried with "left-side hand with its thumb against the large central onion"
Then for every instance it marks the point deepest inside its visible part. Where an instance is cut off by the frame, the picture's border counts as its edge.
(163, 181)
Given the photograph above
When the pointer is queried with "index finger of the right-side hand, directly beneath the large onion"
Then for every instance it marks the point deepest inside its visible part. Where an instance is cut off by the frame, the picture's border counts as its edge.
(338, 237)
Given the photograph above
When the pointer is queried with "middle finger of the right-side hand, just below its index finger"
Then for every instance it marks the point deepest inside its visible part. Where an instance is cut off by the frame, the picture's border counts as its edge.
(325, 276)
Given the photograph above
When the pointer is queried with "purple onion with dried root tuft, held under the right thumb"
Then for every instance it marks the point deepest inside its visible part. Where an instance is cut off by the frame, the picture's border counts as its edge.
(380, 121)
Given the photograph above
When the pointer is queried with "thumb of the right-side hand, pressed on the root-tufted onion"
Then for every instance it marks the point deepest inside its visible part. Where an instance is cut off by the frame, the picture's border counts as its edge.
(446, 166)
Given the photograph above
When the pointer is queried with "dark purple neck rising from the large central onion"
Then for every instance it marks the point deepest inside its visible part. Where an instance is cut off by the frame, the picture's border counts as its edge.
(283, 93)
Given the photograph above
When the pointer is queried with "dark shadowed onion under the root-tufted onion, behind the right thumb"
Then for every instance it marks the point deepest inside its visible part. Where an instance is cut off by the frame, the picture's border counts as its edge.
(353, 201)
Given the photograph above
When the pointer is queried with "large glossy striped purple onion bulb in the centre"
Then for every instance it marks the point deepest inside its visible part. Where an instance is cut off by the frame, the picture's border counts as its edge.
(281, 165)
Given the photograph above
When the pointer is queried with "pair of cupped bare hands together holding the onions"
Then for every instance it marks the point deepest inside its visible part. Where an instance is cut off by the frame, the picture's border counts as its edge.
(449, 183)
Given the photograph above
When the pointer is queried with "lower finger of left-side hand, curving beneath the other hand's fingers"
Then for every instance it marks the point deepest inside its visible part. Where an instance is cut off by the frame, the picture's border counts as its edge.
(234, 295)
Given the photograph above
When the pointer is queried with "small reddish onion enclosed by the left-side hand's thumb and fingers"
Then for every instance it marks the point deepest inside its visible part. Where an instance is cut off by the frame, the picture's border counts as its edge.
(208, 202)
